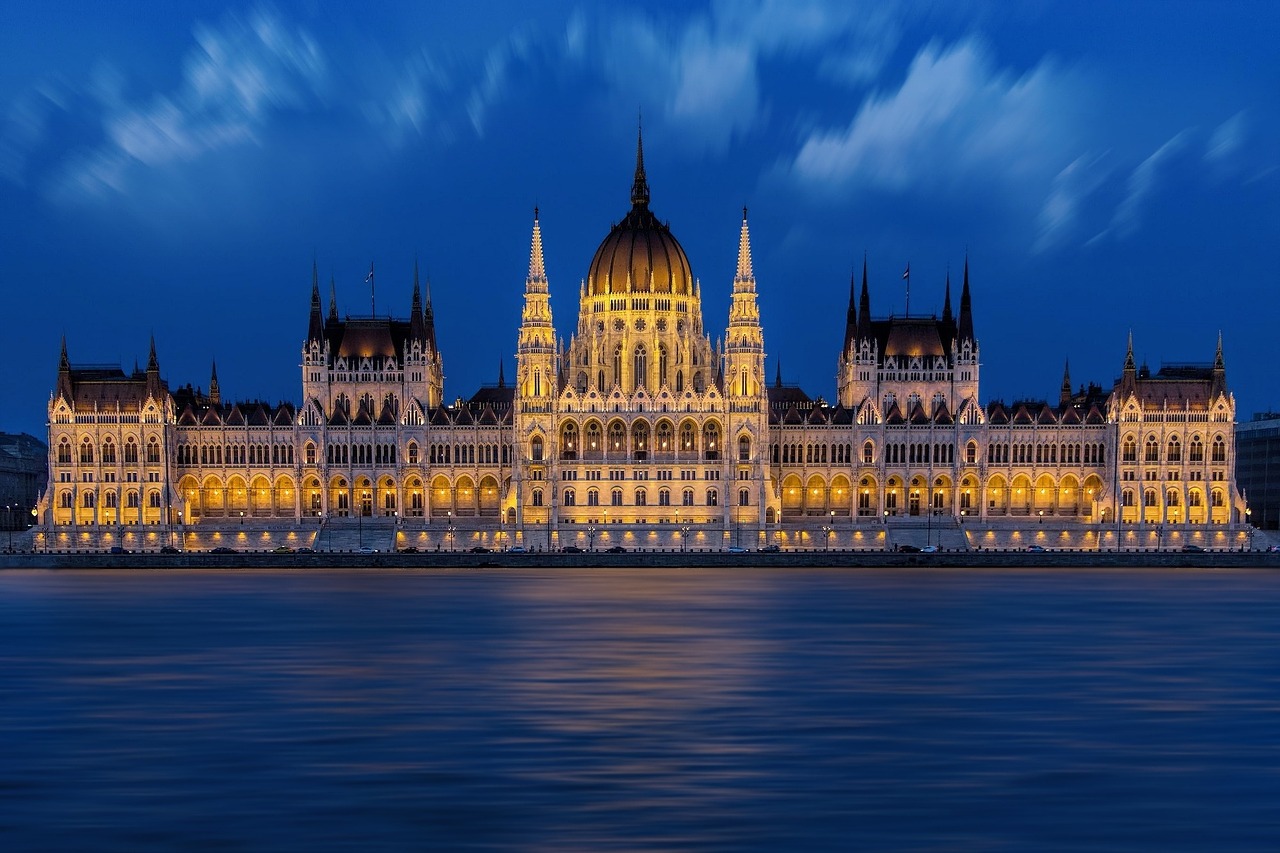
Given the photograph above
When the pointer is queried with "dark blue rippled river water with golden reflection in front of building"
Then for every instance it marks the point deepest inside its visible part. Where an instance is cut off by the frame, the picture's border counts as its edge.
(619, 710)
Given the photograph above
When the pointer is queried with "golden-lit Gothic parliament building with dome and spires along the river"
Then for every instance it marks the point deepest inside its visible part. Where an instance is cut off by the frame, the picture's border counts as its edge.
(643, 434)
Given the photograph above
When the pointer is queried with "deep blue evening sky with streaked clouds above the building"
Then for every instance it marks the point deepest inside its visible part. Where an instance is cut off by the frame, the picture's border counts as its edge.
(175, 170)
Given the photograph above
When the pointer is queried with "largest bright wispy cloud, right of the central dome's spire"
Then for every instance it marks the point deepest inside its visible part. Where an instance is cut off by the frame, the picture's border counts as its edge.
(954, 121)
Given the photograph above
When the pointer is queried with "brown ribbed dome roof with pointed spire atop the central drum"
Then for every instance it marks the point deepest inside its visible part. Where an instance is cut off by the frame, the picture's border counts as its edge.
(641, 256)
